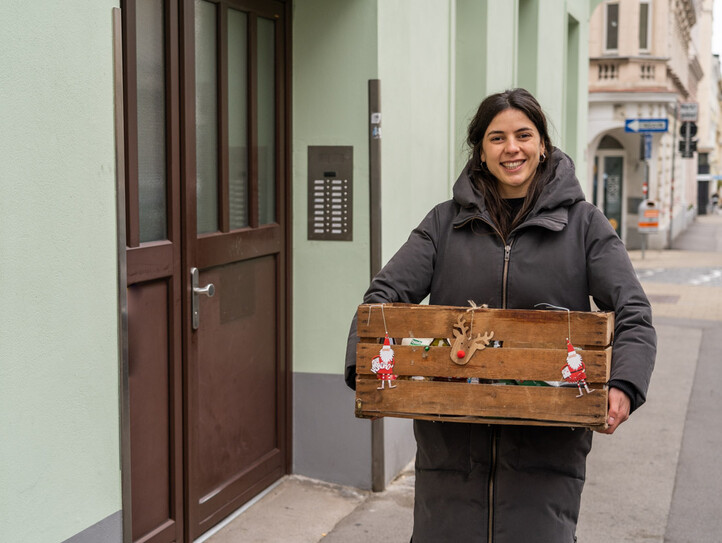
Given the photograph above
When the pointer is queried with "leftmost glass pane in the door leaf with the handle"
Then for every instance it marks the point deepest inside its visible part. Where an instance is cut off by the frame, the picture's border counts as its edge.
(206, 60)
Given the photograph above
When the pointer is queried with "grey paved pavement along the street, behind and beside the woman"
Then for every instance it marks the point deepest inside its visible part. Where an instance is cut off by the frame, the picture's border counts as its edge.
(657, 479)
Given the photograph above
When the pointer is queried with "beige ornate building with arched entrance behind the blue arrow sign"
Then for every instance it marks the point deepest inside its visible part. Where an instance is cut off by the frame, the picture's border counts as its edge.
(648, 61)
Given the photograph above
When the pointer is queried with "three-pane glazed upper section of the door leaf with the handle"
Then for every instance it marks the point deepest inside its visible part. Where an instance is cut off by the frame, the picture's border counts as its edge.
(236, 118)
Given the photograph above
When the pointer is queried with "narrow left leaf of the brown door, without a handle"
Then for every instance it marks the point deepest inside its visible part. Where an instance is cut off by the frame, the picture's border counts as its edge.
(154, 274)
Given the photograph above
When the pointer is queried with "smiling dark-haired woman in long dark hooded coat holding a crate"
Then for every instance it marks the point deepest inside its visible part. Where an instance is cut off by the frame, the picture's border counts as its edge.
(517, 233)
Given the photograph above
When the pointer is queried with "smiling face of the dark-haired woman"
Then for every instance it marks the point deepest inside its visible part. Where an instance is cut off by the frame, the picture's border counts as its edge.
(512, 148)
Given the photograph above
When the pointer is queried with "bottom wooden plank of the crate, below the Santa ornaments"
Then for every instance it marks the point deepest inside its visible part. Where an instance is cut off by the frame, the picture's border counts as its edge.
(482, 403)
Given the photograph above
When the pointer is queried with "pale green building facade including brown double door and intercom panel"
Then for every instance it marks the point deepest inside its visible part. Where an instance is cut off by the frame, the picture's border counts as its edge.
(155, 148)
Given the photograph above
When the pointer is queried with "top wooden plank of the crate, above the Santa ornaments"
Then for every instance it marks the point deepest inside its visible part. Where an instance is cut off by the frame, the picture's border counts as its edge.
(516, 328)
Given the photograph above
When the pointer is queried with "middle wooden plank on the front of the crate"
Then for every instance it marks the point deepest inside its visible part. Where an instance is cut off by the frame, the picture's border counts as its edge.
(527, 364)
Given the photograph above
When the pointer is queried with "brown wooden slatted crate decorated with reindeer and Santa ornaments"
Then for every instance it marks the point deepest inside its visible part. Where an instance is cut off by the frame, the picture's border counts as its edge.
(533, 348)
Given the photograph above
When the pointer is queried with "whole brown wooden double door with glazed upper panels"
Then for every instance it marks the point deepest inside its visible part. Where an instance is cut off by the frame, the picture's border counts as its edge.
(206, 142)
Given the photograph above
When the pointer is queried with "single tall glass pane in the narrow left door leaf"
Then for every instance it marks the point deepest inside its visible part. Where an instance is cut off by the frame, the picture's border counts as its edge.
(151, 119)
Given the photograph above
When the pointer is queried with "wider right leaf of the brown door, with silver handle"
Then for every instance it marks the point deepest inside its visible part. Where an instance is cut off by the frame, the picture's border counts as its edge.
(236, 237)
